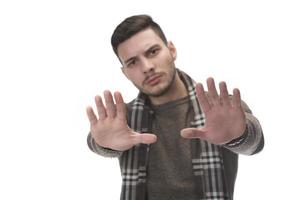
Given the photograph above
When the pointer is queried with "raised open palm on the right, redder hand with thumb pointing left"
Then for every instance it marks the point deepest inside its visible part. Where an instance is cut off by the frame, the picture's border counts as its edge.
(224, 117)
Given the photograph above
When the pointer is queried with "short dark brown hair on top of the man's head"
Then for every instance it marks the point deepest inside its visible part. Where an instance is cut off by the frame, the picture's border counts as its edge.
(131, 26)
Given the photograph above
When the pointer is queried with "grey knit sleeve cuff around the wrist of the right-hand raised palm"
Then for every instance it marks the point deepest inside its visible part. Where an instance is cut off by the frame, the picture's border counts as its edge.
(252, 140)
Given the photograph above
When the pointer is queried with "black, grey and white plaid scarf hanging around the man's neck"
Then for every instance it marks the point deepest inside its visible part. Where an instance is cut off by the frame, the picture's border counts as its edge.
(207, 160)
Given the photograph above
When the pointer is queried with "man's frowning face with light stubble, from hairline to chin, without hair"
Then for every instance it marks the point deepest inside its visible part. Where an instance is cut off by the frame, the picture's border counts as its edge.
(148, 62)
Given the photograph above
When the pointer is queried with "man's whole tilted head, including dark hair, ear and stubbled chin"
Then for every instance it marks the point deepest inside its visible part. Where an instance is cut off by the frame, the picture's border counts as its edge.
(147, 57)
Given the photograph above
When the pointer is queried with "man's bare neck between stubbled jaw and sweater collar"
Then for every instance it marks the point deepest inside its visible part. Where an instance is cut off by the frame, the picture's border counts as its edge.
(176, 91)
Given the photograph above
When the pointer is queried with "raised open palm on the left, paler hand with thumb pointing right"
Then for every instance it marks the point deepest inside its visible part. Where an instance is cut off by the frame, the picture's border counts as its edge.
(110, 129)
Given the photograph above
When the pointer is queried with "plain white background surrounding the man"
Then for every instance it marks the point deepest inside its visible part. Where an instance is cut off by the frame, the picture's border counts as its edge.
(55, 56)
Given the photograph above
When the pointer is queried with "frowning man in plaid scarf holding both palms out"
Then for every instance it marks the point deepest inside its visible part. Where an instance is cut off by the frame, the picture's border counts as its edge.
(174, 141)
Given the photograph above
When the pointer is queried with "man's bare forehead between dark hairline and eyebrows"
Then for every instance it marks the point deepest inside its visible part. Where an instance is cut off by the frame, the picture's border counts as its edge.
(138, 43)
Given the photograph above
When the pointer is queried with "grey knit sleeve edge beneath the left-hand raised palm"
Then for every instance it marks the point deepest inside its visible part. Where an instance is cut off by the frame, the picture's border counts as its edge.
(101, 150)
